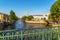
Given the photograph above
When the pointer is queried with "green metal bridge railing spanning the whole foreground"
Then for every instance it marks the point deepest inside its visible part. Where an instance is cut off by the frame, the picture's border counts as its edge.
(31, 34)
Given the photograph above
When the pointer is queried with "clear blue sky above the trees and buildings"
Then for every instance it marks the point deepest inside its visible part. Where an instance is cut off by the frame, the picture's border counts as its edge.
(19, 6)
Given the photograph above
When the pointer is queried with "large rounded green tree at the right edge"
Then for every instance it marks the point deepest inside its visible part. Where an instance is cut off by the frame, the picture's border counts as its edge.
(55, 11)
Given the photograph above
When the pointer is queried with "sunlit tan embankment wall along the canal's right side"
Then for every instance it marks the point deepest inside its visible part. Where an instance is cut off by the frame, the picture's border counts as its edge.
(42, 23)
